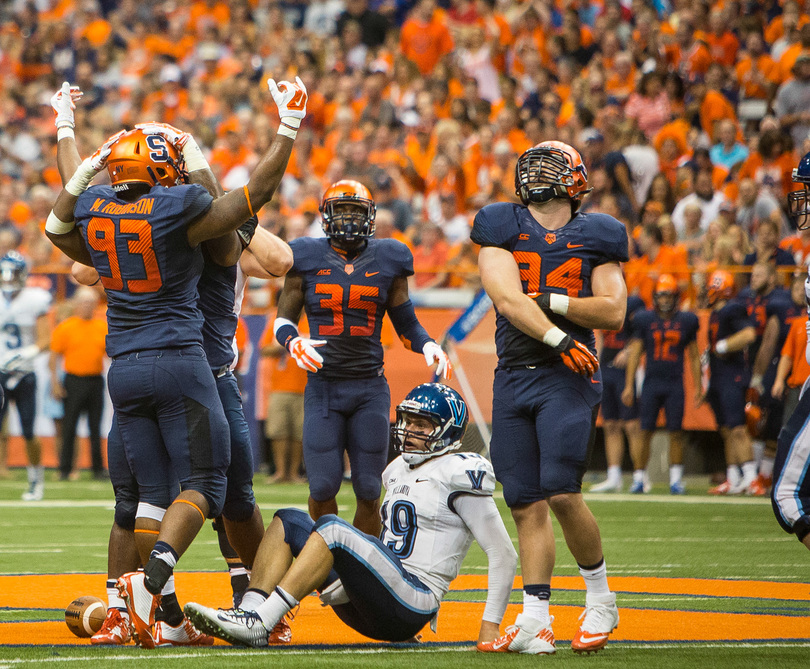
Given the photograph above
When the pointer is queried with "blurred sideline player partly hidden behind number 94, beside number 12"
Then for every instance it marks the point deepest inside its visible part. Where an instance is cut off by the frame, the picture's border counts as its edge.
(616, 417)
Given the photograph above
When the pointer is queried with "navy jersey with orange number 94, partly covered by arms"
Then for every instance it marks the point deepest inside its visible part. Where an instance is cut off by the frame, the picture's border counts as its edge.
(550, 261)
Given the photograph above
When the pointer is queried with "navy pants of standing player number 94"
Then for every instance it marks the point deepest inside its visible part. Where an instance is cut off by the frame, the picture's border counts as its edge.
(542, 429)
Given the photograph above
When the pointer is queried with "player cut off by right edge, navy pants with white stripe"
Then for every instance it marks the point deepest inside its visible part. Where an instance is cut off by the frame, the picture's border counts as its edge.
(790, 495)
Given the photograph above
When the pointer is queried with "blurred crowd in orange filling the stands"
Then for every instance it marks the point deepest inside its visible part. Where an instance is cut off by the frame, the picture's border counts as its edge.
(690, 116)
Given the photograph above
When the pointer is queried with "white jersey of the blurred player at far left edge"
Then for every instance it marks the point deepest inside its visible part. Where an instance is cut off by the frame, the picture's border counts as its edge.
(18, 322)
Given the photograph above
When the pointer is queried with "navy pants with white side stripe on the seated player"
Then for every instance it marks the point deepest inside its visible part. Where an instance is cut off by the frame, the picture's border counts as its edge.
(386, 601)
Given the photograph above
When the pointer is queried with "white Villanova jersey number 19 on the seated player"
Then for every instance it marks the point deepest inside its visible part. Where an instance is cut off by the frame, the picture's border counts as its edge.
(419, 523)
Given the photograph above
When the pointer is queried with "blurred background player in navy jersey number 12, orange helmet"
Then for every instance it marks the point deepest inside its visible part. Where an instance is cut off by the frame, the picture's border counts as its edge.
(666, 335)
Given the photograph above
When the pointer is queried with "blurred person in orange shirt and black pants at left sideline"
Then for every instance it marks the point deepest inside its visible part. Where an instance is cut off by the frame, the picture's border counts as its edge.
(78, 343)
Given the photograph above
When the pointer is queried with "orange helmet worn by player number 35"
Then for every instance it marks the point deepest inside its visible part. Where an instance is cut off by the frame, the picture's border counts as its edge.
(348, 211)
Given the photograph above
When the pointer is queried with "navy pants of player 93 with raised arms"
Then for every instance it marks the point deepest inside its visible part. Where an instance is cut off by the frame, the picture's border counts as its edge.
(167, 404)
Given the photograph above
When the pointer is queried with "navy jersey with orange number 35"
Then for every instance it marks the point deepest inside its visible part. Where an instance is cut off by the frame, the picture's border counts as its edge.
(345, 301)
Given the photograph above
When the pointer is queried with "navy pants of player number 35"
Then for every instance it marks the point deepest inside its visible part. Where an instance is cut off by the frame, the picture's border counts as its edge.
(346, 415)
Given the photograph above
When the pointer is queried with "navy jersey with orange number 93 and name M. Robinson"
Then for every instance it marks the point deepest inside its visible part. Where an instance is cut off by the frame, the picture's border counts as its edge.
(149, 271)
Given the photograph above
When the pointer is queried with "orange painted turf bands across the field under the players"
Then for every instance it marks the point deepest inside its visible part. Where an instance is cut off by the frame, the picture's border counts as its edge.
(458, 621)
